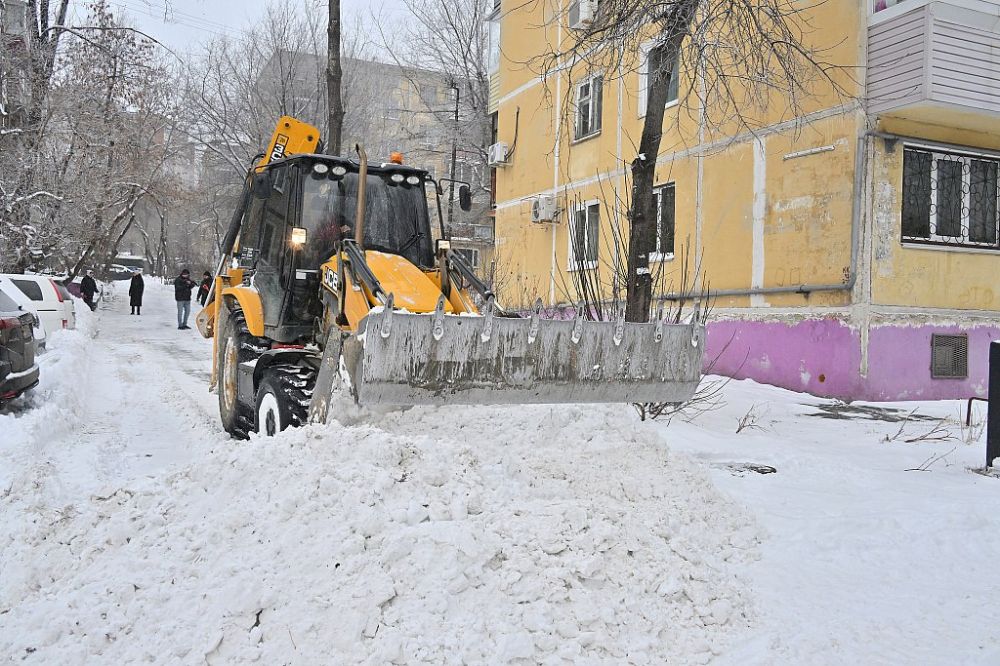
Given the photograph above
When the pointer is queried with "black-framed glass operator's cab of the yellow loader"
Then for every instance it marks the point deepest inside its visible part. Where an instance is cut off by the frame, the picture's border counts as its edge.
(302, 207)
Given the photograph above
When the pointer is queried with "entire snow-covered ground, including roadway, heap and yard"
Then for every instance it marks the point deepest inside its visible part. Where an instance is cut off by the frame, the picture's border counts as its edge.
(132, 530)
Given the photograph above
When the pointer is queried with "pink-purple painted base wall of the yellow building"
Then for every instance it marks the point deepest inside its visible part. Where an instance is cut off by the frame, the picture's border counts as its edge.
(823, 357)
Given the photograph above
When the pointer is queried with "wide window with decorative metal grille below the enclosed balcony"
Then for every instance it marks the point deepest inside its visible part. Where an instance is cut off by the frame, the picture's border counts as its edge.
(950, 198)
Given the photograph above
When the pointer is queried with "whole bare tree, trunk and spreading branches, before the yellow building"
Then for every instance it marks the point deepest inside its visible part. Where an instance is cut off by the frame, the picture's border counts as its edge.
(738, 57)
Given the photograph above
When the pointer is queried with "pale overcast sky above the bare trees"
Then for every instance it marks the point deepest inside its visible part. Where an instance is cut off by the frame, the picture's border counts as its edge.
(189, 22)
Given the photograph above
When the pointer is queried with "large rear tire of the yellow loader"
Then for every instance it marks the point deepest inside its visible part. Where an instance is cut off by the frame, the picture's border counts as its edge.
(236, 346)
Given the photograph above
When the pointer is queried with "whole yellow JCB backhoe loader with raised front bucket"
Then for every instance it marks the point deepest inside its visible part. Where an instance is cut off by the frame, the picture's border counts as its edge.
(330, 281)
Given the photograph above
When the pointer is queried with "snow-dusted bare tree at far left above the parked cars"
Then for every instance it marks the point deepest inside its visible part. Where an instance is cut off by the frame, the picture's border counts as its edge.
(92, 142)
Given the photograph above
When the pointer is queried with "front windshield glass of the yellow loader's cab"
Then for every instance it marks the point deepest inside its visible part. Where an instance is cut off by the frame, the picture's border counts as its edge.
(396, 219)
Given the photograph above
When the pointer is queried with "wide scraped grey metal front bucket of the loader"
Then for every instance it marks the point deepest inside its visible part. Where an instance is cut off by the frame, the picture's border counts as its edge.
(437, 358)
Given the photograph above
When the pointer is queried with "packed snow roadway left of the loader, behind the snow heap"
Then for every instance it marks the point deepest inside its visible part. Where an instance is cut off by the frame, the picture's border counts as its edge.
(123, 397)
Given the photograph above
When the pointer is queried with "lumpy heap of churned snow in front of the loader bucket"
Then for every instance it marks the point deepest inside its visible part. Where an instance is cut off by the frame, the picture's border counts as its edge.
(462, 535)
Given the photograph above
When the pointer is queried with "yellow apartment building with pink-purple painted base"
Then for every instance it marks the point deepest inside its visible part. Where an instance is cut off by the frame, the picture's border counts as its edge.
(851, 249)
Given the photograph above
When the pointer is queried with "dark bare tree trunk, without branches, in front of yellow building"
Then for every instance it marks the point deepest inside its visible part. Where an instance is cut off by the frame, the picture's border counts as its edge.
(642, 224)
